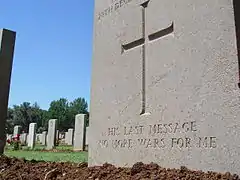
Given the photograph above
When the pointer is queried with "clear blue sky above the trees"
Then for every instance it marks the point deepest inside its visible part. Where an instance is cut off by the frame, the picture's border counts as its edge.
(53, 50)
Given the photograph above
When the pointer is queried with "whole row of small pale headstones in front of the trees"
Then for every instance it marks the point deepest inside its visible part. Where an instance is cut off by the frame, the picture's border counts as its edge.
(77, 138)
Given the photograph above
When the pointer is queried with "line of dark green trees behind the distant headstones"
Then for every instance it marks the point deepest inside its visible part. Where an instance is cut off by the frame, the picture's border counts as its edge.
(61, 109)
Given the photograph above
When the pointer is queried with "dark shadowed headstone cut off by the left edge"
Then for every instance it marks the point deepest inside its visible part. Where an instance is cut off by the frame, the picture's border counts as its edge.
(7, 44)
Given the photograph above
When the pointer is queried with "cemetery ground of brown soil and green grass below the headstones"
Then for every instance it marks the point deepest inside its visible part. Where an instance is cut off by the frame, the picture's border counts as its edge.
(63, 163)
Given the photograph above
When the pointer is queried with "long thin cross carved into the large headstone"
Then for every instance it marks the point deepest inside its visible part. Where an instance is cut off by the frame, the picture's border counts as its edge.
(143, 42)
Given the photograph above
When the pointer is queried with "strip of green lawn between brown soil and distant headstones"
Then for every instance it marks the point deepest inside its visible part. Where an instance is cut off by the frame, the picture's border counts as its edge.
(76, 157)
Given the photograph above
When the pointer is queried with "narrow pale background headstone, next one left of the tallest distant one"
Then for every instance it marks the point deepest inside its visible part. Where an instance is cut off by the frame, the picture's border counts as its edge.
(51, 138)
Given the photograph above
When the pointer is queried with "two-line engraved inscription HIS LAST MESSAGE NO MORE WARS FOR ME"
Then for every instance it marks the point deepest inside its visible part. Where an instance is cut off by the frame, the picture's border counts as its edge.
(159, 136)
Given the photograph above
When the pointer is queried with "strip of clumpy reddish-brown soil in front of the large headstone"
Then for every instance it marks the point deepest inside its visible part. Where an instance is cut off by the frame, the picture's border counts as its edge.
(20, 169)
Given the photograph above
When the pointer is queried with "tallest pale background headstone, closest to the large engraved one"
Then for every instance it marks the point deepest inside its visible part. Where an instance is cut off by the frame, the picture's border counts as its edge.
(79, 132)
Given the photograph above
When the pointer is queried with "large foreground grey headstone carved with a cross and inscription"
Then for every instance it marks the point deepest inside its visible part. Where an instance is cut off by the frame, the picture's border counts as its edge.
(165, 84)
